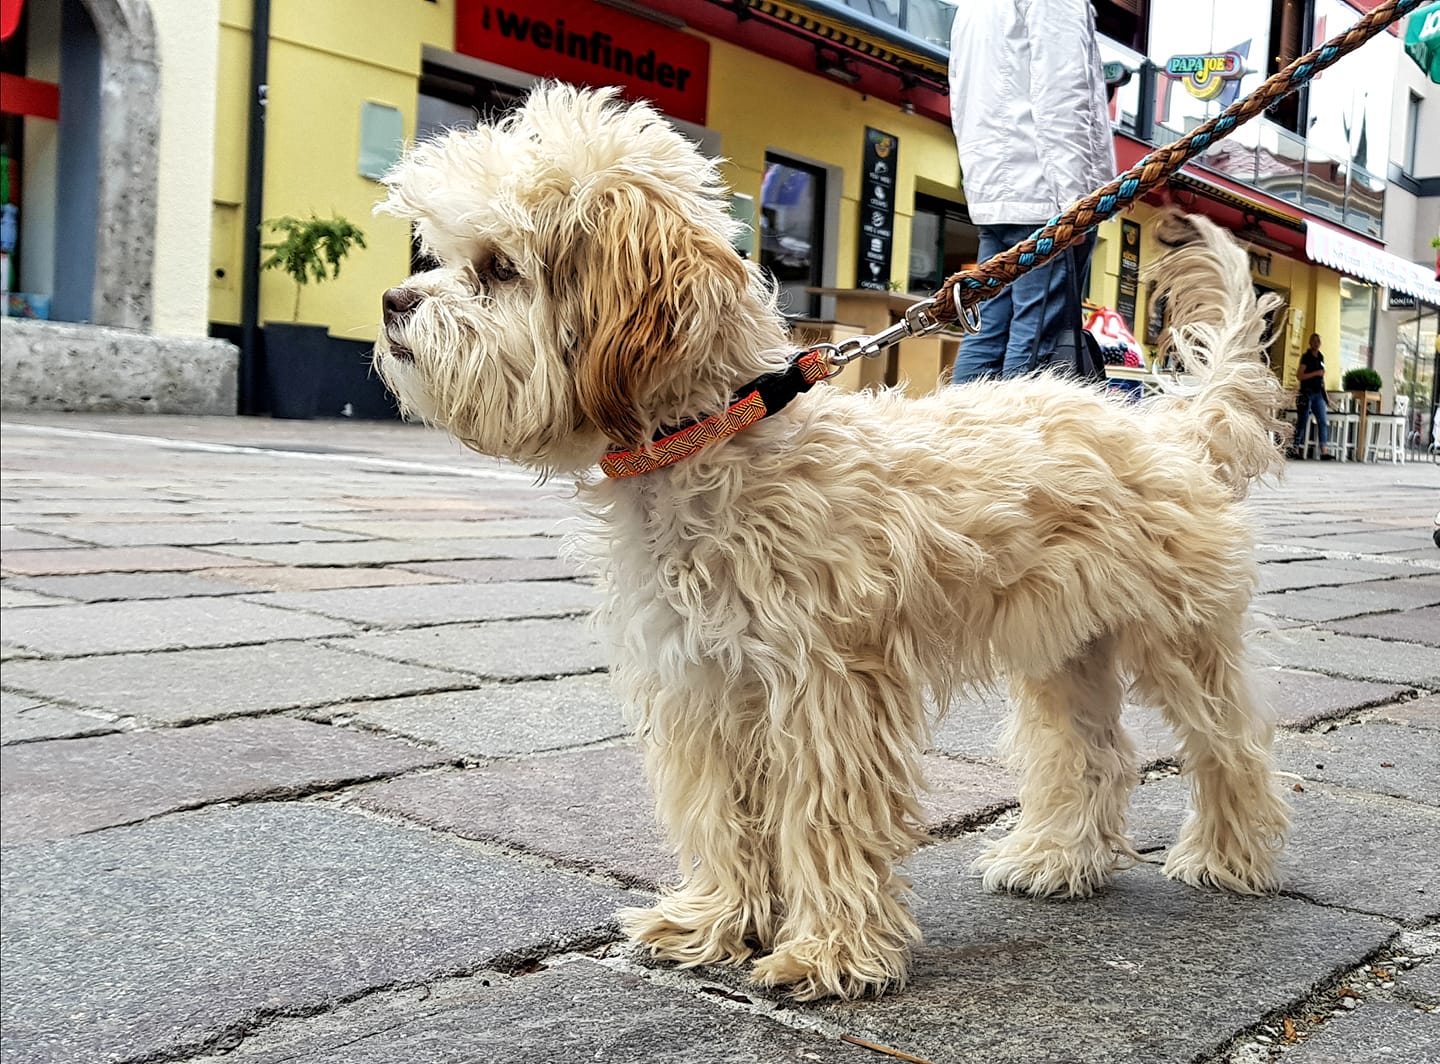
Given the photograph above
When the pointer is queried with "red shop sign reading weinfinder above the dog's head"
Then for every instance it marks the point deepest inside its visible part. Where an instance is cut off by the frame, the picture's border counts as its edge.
(581, 42)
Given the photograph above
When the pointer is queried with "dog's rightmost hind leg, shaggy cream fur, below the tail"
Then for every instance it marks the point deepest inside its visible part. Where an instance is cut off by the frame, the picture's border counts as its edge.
(1233, 836)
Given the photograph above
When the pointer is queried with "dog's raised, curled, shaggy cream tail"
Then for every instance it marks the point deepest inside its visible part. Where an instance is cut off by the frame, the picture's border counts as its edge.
(1219, 336)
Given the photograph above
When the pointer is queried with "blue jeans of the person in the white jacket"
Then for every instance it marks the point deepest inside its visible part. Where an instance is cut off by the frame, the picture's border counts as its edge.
(1032, 317)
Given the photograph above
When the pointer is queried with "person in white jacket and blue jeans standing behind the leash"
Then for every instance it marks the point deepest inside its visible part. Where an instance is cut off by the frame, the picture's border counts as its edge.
(1033, 130)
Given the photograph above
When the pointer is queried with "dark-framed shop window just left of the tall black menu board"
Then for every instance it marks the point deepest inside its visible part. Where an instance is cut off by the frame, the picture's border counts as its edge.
(793, 225)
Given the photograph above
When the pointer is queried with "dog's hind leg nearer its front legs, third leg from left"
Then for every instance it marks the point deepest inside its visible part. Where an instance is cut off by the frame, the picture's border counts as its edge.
(1076, 767)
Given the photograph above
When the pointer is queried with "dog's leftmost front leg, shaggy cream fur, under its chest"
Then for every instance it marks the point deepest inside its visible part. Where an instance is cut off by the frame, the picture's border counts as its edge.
(703, 768)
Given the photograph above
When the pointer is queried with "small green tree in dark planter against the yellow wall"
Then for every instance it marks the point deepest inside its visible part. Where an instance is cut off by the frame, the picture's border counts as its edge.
(297, 355)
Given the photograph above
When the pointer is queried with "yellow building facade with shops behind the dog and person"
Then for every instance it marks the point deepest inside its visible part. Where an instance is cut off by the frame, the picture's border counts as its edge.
(332, 58)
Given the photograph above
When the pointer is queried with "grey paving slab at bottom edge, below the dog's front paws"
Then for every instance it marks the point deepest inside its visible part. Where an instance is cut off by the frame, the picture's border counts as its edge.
(572, 1014)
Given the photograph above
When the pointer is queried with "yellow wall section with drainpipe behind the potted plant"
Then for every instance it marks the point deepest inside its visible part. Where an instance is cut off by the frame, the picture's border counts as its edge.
(326, 58)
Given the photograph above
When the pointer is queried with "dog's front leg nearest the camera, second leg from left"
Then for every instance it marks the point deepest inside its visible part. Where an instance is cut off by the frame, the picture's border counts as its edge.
(845, 797)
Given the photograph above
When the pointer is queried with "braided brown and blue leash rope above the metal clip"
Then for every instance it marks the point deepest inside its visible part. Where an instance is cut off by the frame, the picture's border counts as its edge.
(1069, 228)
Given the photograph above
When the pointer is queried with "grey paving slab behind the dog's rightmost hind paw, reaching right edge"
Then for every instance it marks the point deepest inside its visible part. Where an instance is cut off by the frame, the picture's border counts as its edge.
(1359, 852)
